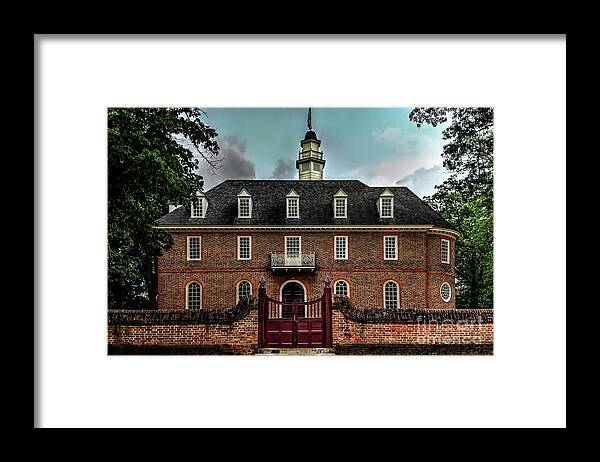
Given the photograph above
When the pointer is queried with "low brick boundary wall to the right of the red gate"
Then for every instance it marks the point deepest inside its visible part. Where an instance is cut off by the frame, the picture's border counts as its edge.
(346, 332)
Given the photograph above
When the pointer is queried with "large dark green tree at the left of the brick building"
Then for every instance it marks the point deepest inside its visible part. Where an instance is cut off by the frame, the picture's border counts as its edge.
(152, 159)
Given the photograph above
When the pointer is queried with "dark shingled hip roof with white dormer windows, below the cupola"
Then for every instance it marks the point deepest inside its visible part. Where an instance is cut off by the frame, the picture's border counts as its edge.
(316, 205)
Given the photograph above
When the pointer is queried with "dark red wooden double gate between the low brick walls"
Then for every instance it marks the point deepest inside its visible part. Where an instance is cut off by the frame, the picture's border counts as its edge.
(295, 324)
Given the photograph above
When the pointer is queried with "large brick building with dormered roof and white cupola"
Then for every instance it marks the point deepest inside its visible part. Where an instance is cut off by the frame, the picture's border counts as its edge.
(382, 247)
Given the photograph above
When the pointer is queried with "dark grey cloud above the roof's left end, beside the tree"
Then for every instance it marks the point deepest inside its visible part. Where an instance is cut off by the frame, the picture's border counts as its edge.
(236, 164)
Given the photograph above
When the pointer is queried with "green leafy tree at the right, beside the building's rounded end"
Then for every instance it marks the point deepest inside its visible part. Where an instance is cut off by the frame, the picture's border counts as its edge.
(465, 199)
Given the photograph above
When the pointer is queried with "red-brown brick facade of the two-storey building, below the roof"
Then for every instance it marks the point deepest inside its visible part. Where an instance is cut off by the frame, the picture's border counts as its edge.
(365, 270)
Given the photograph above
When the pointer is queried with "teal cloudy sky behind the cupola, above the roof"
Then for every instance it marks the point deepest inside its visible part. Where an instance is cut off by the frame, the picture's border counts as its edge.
(379, 146)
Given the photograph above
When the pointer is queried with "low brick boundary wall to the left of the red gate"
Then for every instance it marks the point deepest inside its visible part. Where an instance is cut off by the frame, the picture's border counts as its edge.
(239, 337)
